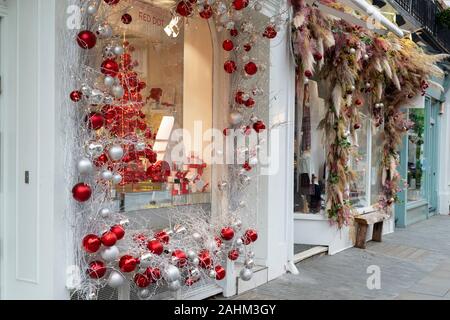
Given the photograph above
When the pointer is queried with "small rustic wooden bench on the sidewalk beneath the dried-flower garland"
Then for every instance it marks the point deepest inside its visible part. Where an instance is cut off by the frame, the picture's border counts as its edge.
(364, 221)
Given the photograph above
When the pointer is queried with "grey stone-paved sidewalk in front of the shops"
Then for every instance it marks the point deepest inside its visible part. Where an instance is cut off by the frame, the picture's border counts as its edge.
(414, 263)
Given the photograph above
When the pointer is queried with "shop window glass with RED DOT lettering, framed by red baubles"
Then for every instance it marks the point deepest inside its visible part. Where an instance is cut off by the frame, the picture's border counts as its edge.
(177, 95)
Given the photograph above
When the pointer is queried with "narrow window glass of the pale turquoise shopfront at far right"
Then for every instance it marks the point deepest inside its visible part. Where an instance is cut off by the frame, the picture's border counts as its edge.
(416, 148)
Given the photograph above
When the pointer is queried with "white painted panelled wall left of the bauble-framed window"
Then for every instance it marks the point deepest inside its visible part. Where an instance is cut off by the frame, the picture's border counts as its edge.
(33, 261)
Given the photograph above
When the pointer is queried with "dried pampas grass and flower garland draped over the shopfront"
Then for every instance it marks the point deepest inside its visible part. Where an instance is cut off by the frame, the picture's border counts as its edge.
(360, 68)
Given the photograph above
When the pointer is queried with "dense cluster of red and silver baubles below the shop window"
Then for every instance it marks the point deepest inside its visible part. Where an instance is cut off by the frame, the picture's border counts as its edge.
(161, 263)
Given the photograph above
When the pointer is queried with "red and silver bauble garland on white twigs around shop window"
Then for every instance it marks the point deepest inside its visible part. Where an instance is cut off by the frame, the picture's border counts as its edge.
(115, 149)
